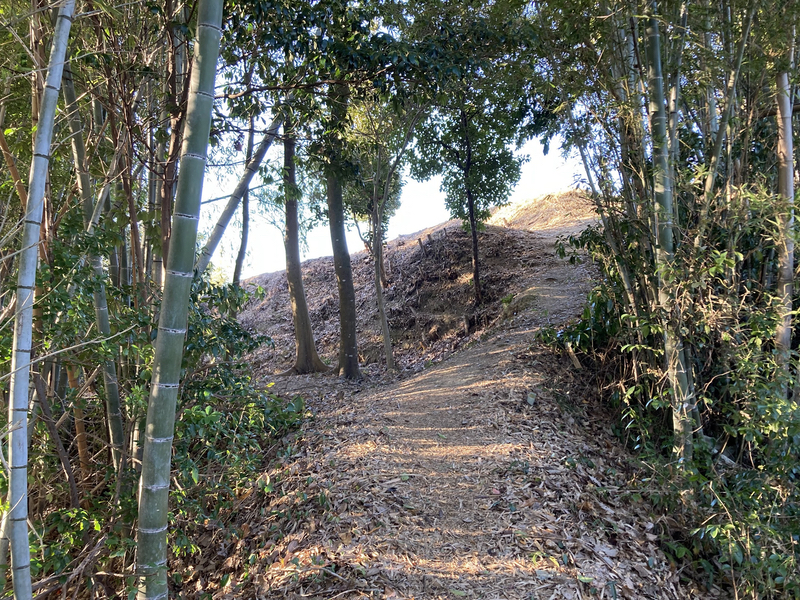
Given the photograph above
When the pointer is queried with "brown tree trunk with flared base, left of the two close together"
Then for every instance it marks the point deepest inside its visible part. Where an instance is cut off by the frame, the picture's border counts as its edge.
(306, 359)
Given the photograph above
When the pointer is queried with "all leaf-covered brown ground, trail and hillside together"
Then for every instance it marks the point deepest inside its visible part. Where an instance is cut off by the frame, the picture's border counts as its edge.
(488, 475)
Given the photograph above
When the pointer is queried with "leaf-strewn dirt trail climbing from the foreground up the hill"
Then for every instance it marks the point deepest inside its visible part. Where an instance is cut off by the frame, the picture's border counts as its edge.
(480, 477)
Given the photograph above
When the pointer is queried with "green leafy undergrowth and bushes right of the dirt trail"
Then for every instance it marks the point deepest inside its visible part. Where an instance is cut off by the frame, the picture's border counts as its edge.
(732, 513)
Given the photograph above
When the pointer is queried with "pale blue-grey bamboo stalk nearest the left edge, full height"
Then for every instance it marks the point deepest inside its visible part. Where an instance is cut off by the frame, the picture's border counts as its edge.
(23, 321)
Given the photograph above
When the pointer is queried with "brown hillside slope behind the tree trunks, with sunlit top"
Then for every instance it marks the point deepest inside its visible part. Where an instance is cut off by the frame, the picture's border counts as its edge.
(429, 299)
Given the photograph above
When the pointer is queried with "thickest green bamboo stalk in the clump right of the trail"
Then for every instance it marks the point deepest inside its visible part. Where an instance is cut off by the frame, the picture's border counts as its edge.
(676, 369)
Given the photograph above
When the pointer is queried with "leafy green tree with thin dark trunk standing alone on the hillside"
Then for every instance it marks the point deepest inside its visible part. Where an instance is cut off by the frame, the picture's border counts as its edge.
(480, 111)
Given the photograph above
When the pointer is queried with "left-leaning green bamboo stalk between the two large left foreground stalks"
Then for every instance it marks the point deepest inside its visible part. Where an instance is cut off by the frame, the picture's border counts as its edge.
(116, 430)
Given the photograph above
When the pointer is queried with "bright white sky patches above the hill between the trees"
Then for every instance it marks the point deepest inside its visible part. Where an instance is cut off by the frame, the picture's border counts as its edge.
(422, 206)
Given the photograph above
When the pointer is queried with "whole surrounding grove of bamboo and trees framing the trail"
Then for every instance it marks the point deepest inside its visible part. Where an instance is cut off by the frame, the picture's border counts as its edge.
(114, 343)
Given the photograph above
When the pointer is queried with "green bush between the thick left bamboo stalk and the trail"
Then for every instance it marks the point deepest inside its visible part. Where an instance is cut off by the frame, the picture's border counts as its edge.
(225, 419)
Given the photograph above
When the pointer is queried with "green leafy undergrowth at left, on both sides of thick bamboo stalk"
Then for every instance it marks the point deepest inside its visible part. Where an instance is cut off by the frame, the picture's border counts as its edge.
(226, 425)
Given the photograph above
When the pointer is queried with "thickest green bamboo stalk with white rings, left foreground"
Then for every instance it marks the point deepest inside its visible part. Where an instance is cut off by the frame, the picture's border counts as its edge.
(151, 559)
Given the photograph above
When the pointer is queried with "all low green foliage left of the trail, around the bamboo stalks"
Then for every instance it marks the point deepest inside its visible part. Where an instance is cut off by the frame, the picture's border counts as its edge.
(226, 422)
